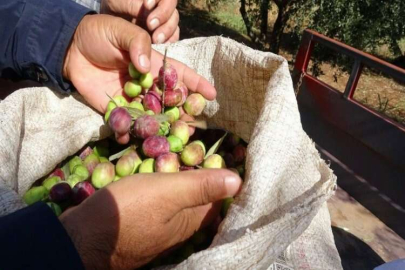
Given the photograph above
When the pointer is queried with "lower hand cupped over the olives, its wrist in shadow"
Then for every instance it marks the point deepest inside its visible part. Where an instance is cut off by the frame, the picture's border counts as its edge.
(130, 222)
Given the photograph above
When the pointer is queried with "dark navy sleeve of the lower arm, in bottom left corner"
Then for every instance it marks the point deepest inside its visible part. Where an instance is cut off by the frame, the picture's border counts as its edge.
(33, 238)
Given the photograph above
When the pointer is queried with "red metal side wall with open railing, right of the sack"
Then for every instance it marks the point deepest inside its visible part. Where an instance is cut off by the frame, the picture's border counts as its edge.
(365, 147)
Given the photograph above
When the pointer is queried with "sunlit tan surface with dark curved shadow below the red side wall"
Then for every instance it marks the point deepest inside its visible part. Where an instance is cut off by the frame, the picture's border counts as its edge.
(370, 239)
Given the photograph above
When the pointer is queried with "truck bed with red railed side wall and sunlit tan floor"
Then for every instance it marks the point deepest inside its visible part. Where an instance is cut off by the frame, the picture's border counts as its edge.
(366, 150)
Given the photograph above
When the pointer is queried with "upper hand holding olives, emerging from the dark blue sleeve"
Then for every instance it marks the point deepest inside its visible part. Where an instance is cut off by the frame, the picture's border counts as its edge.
(98, 58)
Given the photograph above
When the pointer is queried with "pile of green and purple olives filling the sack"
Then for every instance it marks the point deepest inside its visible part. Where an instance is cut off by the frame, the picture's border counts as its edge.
(156, 116)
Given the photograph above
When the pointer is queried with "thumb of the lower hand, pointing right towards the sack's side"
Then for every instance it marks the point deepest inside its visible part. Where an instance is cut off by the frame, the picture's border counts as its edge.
(201, 187)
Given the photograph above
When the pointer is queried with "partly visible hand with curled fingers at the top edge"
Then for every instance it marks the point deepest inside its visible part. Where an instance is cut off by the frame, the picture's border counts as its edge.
(160, 17)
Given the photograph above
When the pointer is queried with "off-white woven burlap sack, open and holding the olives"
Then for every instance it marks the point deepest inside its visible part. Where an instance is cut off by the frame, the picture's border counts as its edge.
(280, 219)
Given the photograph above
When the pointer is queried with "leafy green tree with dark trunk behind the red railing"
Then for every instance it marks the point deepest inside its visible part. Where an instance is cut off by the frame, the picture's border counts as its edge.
(364, 24)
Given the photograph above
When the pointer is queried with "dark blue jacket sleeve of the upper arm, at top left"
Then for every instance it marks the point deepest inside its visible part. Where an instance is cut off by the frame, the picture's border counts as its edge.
(35, 35)
